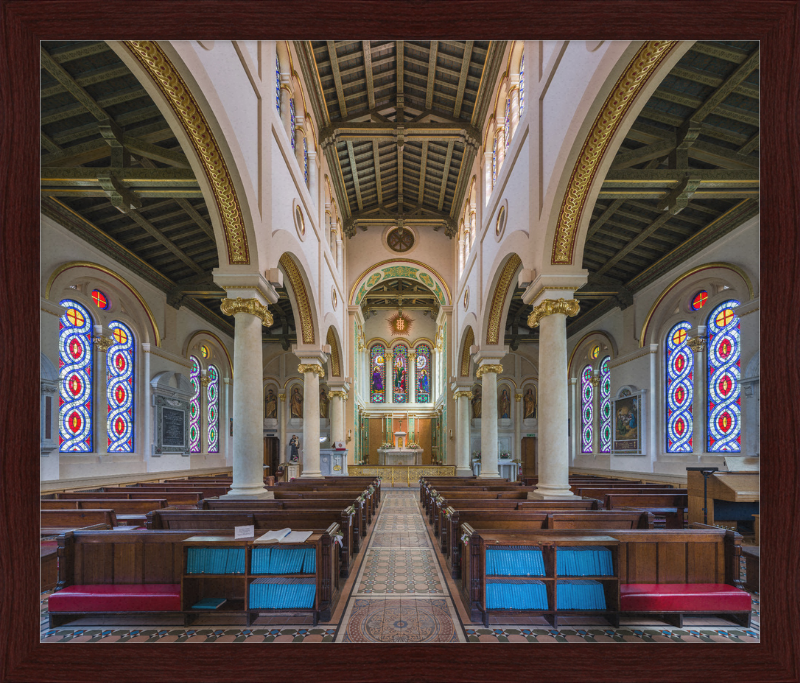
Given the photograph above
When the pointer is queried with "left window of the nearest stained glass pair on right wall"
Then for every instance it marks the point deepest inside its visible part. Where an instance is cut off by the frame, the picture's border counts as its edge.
(680, 390)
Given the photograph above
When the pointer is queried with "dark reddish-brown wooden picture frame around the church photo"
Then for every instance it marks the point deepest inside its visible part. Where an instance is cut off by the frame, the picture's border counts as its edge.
(24, 23)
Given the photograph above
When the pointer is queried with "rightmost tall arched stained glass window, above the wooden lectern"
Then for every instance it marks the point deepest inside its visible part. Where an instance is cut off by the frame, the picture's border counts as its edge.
(724, 372)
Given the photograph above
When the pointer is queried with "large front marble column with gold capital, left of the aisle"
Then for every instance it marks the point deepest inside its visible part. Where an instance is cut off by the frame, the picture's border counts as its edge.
(250, 315)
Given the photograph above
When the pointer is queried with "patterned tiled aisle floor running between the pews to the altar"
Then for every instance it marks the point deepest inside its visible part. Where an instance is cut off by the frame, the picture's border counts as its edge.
(400, 595)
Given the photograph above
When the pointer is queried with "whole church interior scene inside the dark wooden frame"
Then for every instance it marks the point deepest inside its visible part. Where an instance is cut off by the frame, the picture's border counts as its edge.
(400, 341)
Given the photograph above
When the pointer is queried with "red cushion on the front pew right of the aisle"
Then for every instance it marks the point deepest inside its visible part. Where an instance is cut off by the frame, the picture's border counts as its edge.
(682, 597)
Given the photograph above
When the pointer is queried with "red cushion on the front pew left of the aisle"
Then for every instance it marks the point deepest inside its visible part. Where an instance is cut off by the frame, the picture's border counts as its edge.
(151, 597)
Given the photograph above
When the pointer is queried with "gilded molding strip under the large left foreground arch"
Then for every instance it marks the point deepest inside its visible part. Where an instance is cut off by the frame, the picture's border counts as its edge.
(166, 77)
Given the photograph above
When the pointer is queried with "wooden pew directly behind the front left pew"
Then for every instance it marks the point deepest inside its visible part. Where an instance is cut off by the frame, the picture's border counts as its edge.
(262, 520)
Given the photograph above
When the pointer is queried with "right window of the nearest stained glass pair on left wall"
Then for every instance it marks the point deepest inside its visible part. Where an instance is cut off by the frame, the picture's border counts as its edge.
(120, 389)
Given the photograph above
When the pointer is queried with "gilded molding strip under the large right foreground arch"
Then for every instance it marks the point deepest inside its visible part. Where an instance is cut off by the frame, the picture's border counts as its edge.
(617, 104)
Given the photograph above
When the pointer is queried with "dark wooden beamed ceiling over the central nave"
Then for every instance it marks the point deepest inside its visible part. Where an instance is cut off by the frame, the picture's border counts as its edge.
(400, 124)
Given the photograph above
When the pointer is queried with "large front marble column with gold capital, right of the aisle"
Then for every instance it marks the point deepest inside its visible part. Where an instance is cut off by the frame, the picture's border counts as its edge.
(551, 316)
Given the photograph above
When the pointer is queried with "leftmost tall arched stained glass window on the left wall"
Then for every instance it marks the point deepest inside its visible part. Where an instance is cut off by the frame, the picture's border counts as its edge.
(75, 375)
